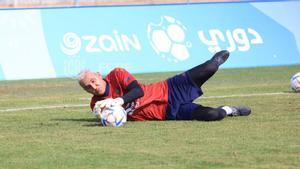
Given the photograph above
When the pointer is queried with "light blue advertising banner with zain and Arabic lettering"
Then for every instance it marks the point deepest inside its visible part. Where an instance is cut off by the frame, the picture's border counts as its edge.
(59, 42)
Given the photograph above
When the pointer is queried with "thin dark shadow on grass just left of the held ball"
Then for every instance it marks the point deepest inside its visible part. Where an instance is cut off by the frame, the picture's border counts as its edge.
(88, 122)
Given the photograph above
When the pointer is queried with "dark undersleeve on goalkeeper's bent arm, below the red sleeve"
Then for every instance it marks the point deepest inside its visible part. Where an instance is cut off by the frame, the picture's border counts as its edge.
(133, 91)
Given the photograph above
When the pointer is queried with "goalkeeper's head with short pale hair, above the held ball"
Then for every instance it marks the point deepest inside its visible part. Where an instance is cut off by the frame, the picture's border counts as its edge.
(93, 83)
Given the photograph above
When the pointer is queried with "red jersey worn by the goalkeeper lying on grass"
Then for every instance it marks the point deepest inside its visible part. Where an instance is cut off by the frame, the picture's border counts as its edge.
(152, 106)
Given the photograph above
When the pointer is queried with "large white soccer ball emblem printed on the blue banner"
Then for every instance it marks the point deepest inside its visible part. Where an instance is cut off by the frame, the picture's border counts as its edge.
(168, 39)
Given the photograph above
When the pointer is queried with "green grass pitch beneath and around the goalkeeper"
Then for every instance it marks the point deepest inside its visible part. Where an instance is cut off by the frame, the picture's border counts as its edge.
(64, 134)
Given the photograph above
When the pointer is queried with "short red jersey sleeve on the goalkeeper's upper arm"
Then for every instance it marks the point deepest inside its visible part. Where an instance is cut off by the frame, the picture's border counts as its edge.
(124, 77)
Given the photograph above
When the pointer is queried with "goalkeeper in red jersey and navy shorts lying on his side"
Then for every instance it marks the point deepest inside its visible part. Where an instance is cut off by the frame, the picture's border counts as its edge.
(170, 99)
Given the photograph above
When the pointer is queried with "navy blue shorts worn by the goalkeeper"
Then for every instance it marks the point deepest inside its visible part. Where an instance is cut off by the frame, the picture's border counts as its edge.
(181, 94)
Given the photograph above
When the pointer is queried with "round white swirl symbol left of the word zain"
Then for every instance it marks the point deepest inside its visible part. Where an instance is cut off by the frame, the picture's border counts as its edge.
(71, 44)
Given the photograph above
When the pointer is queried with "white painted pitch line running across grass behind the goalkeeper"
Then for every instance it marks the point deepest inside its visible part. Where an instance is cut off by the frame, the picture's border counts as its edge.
(84, 105)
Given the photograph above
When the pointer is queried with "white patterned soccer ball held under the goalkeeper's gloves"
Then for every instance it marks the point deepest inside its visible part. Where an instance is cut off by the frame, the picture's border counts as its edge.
(113, 116)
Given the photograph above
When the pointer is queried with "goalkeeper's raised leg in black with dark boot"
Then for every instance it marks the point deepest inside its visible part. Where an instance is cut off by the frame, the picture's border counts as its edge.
(201, 73)
